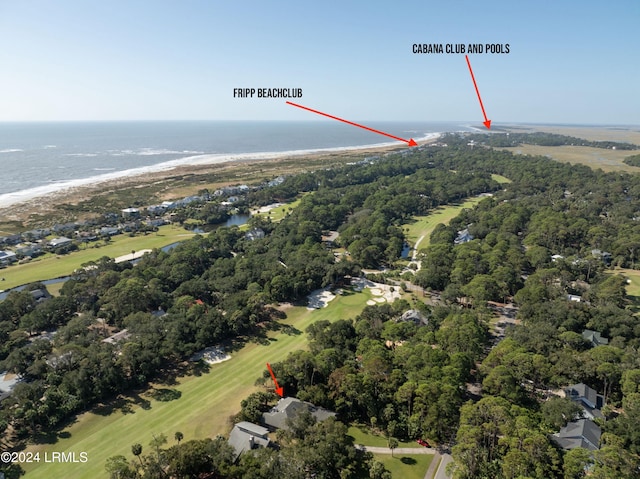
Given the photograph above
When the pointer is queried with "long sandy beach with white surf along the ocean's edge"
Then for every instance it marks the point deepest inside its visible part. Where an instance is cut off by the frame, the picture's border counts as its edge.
(19, 206)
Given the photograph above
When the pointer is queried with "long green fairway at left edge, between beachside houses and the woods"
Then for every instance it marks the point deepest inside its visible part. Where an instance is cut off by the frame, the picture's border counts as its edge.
(50, 266)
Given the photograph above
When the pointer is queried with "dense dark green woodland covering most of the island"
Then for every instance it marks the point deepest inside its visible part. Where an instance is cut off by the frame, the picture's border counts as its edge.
(554, 233)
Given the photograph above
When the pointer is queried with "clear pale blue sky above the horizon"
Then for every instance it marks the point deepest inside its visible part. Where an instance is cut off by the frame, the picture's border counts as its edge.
(573, 61)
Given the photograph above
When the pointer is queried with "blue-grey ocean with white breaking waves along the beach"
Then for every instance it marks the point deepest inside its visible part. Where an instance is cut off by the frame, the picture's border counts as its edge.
(39, 158)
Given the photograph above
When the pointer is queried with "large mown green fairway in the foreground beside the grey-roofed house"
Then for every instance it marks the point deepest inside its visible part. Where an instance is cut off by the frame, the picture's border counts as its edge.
(204, 406)
